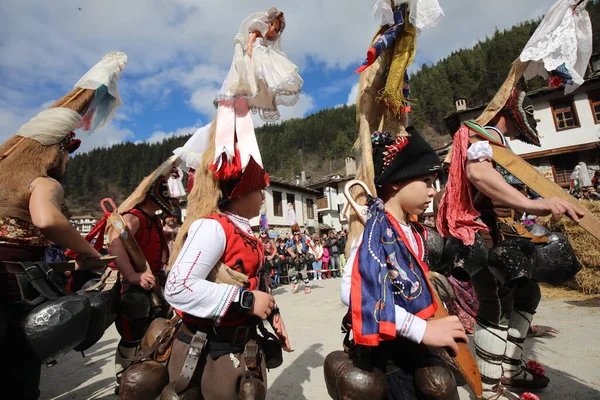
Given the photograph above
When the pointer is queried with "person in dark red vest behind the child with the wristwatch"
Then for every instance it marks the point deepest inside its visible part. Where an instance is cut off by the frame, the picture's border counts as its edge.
(139, 212)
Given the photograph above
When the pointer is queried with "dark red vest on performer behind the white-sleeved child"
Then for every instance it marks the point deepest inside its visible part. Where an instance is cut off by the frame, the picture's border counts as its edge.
(151, 239)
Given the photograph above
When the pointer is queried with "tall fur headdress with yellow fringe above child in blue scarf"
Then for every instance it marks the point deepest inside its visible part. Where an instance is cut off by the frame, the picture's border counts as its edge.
(382, 103)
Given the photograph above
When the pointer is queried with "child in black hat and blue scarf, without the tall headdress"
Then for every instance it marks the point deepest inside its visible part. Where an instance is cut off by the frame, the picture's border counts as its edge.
(385, 282)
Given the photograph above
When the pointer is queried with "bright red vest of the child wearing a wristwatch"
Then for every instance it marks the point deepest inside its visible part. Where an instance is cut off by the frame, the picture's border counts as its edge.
(244, 253)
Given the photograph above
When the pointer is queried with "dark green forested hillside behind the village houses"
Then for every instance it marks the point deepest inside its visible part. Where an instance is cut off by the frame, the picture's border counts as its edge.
(318, 143)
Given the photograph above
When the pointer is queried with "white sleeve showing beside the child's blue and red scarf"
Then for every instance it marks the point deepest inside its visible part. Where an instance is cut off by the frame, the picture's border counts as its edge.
(407, 325)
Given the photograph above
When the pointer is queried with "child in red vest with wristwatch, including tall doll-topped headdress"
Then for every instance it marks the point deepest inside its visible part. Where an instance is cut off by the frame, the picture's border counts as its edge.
(217, 282)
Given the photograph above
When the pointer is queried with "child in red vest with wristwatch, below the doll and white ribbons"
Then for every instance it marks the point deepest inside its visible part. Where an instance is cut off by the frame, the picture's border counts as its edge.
(218, 287)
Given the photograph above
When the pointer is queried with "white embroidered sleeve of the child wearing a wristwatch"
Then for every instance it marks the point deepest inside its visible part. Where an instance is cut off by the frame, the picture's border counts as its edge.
(187, 288)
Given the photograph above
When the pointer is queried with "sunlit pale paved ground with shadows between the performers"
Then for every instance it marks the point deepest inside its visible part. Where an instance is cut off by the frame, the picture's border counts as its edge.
(571, 359)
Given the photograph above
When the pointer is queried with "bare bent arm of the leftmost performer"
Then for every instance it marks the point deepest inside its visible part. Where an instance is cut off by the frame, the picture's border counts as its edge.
(44, 207)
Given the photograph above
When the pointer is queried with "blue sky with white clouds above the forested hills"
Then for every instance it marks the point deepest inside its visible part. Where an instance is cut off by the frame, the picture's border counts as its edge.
(180, 50)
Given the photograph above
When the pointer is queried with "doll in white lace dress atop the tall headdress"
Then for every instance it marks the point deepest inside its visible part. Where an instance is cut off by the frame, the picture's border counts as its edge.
(260, 70)
